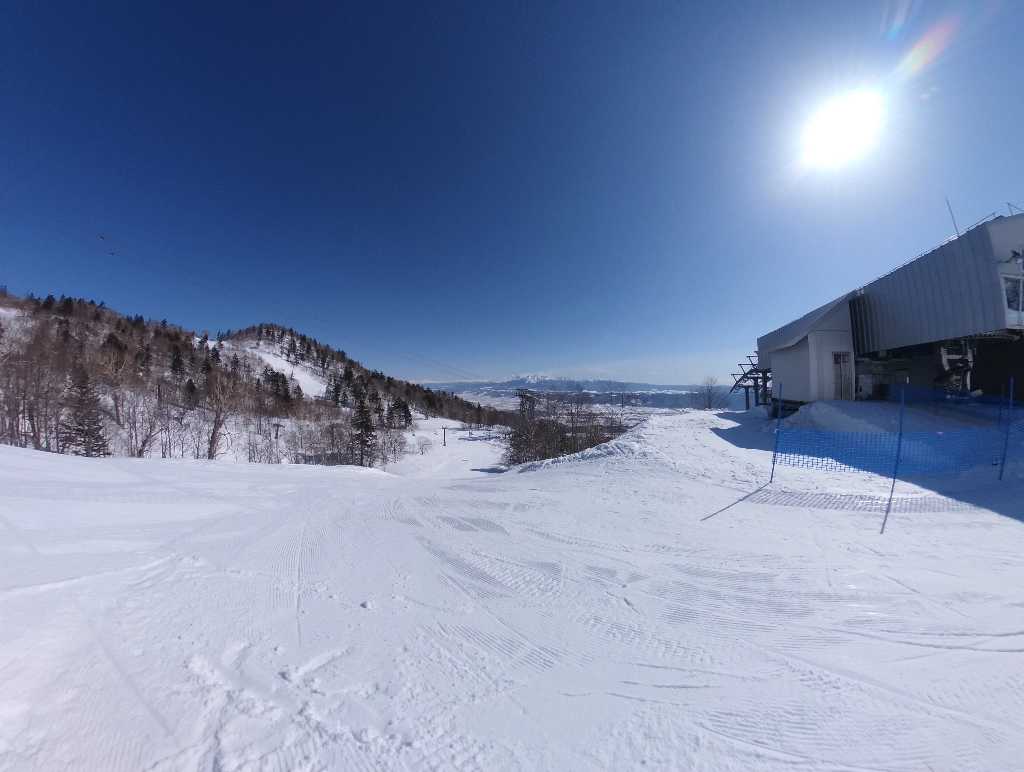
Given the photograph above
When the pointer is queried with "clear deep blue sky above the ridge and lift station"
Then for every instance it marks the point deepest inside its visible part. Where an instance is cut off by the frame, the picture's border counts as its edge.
(448, 191)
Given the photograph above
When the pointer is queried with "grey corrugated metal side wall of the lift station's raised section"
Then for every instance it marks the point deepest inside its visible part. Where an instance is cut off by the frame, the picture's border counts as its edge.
(953, 292)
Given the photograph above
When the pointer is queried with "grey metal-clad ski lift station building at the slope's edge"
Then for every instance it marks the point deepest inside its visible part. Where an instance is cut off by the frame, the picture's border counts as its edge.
(952, 319)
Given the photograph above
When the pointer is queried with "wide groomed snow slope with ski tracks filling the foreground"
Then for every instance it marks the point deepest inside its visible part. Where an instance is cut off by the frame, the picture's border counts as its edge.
(172, 616)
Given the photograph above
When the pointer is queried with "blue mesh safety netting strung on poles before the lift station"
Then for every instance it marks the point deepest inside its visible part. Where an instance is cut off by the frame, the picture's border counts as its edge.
(982, 434)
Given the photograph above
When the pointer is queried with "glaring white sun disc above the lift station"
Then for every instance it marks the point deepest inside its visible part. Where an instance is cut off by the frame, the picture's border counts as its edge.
(844, 130)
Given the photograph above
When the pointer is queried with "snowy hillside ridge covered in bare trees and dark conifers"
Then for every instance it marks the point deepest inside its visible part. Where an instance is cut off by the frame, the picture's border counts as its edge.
(78, 377)
